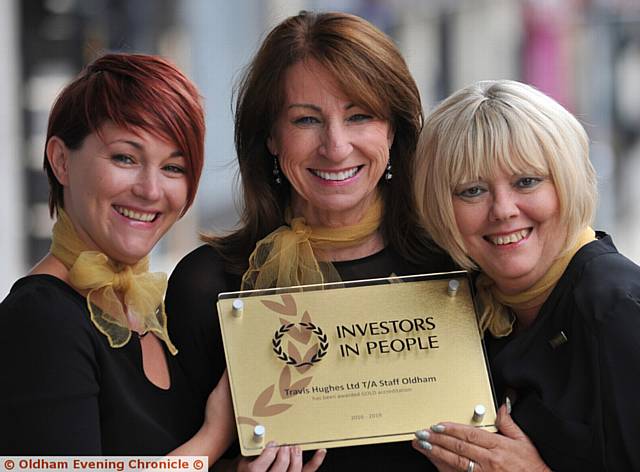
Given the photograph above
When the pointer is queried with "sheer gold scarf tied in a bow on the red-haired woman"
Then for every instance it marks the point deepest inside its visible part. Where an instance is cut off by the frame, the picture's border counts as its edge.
(115, 290)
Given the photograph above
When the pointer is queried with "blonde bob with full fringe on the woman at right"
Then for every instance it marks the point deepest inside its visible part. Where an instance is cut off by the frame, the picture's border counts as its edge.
(501, 125)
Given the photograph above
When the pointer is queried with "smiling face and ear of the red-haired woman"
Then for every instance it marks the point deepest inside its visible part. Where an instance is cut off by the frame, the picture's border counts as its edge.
(122, 191)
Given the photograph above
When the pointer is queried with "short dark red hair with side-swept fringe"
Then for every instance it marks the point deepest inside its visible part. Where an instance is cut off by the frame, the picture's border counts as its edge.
(133, 91)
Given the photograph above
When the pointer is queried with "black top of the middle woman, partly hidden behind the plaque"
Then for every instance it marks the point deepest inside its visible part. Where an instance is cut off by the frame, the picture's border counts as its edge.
(193, 290)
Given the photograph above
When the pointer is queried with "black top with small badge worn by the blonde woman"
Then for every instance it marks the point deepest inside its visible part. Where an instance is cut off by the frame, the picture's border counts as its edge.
(578, 401)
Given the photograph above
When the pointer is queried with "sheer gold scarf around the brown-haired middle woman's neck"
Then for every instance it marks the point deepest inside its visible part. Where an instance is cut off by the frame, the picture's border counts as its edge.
(285, 258)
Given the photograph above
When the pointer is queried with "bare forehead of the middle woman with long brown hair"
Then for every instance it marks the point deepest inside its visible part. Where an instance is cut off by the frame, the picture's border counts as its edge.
(311, 83)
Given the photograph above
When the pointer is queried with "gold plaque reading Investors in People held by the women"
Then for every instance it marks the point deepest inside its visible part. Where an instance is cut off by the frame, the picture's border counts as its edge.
(354, 363)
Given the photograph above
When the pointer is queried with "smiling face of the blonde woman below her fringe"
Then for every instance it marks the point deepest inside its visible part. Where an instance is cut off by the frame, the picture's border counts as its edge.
(510, 226)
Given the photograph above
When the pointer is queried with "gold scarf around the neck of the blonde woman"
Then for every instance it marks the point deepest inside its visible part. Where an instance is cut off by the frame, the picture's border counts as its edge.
(496, 315)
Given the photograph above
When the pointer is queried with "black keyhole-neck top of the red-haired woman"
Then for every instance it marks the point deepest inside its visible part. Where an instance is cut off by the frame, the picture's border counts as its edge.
(65, 391)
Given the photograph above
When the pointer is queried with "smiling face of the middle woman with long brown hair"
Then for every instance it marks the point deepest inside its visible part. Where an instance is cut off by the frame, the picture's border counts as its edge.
(332, 151)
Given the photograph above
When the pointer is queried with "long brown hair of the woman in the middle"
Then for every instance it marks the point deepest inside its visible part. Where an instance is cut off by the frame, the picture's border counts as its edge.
(369, 69)
